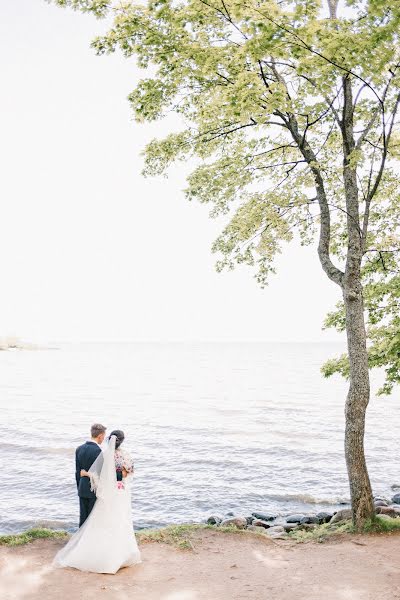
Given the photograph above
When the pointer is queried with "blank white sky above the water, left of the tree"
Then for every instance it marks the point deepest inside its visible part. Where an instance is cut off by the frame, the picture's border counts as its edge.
(90, 250)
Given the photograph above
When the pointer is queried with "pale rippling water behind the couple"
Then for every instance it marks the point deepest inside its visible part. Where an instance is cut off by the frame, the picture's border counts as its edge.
(213, 428)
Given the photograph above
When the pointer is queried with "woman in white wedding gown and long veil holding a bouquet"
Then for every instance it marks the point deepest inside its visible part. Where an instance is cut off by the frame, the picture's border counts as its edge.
(106, 541)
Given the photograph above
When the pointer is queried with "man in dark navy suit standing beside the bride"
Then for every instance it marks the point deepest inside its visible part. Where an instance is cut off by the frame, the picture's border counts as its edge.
(85, 456)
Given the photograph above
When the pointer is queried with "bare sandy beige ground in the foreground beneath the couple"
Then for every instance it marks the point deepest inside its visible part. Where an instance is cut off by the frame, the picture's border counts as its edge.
(221, 567)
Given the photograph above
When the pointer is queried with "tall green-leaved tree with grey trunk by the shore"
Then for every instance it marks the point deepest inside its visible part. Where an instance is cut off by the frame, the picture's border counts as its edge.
(289, 108)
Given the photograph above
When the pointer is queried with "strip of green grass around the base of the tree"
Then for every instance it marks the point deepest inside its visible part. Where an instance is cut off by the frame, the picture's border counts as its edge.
(326, 531)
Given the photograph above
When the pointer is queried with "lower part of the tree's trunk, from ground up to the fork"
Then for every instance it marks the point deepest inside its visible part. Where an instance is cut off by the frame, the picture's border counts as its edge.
(356, 405)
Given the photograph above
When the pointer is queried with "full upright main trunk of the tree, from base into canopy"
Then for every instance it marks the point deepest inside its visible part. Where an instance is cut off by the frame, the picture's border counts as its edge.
(362, 503)
